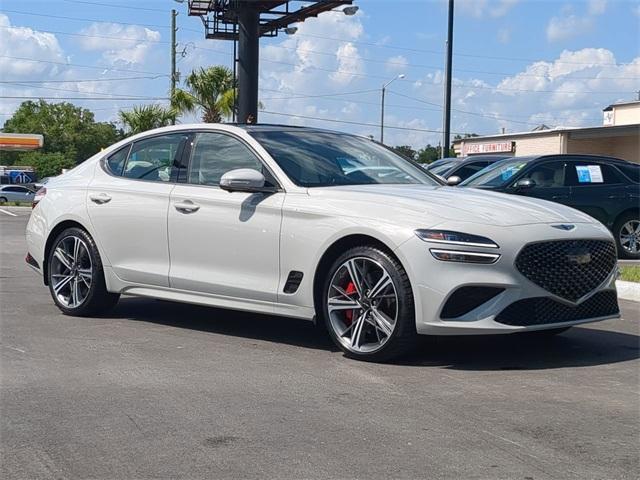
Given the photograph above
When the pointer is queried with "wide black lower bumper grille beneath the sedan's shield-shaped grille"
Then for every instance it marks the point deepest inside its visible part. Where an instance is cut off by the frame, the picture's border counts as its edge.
(544, 310)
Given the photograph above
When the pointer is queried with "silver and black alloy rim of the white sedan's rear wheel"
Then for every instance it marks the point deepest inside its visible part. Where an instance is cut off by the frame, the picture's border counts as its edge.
(71, 271)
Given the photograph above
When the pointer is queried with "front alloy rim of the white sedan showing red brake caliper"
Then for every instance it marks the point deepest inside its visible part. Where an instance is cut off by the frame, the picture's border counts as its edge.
(362, 304)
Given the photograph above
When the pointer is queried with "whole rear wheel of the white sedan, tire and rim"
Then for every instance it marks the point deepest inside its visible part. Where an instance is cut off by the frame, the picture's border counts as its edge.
(76, 277)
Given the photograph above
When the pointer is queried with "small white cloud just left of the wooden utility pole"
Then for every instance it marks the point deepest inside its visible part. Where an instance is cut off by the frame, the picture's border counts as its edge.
(132, 47)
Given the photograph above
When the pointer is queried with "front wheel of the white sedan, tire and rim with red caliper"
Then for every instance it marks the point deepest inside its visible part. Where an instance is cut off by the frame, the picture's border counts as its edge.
(368, 305)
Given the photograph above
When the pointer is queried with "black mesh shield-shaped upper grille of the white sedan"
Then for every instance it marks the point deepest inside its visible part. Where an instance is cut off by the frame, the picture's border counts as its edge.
(568, 268)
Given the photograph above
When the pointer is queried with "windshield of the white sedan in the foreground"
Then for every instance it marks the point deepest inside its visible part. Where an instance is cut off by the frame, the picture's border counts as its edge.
(321, 159)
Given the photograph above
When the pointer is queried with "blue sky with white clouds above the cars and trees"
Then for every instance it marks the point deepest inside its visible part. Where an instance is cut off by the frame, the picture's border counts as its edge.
(517, 63)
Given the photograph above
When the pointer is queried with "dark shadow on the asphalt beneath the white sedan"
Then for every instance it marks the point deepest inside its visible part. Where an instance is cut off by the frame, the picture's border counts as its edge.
(578, 347)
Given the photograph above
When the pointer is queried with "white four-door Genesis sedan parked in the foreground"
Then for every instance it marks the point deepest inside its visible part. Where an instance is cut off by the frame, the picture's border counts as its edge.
(299, 222)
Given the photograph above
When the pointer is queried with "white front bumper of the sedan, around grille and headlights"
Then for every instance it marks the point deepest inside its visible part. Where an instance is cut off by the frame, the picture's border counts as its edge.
(434, 282)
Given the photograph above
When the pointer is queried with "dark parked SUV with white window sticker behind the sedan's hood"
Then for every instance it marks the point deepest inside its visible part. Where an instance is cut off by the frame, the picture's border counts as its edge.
(606, 188)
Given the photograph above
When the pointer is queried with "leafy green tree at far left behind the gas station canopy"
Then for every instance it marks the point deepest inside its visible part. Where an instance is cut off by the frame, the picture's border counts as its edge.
(67, 129)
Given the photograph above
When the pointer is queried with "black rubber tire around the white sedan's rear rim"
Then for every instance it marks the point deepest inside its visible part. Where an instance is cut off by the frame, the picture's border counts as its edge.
(98, 300)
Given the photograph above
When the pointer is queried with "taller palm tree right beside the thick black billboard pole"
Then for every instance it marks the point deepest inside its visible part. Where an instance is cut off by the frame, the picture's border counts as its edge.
(210, 91)
